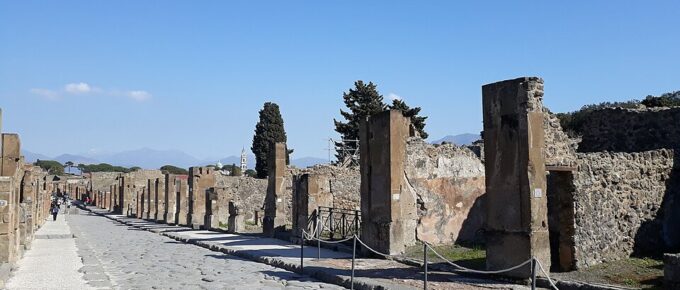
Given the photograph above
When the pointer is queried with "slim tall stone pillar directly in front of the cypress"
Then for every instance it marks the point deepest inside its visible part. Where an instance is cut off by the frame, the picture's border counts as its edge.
(274, 212)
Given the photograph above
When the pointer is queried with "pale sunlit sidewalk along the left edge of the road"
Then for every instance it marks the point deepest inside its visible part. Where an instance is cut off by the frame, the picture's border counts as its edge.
(52, 262)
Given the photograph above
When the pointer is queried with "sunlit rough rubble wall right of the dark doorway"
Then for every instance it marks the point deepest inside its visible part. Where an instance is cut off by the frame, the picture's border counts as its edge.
(617, 198)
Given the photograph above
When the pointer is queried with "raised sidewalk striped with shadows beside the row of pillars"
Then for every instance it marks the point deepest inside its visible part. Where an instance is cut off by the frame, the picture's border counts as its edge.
(333, 267)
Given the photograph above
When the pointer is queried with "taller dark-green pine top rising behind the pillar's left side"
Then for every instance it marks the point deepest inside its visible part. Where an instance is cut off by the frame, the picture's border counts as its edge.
(362, 101)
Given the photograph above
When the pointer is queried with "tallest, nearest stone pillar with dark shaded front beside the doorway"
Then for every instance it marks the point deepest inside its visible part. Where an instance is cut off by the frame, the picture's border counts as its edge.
(517, 225)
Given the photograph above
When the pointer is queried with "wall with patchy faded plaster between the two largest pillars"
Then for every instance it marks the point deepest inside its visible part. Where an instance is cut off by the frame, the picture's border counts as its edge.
(449, 183)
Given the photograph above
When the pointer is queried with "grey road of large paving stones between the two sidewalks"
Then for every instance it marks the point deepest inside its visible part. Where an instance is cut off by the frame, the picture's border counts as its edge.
(118, 256)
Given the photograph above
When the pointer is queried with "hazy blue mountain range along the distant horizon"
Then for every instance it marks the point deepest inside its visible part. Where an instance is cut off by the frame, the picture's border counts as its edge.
(152, 159)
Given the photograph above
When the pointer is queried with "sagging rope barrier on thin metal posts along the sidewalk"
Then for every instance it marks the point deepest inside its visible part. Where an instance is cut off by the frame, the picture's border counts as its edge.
(533, 262)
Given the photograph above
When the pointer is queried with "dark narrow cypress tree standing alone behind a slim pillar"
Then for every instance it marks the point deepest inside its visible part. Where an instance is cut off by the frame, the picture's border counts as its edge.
(268, 130)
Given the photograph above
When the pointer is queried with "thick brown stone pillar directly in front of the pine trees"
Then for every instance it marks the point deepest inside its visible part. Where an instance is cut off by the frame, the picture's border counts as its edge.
(388, 207)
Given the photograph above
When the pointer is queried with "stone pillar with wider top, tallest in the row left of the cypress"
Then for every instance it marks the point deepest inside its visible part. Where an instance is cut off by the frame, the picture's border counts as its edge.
(200, 179)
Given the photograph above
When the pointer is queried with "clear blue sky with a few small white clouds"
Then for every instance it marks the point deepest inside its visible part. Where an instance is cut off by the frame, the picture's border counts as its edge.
(109, 76)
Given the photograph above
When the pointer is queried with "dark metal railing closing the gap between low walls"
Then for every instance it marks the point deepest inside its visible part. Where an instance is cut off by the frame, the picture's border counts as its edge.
(336, 223)
